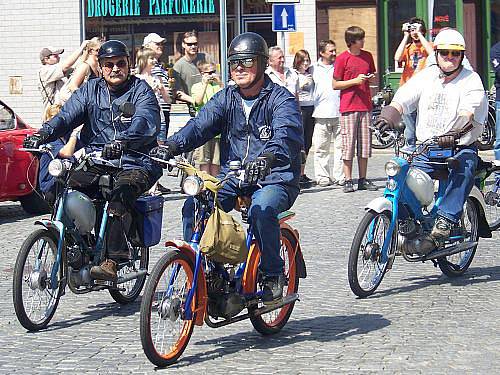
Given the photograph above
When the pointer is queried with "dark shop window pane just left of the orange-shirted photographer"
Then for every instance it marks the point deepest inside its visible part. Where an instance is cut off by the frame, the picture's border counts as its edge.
(399, 12)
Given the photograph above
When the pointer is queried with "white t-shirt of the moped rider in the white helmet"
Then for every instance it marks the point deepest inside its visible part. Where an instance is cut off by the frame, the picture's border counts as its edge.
(439, 103)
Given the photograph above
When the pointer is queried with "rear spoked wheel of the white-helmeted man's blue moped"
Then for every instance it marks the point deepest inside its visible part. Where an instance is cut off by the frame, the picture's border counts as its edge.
(456, 264)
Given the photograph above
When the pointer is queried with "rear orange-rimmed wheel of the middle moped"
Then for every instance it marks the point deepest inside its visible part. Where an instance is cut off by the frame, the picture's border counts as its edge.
(274, 321)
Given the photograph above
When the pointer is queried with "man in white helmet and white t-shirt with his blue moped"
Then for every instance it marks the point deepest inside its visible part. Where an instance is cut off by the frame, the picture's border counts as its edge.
(451, 107)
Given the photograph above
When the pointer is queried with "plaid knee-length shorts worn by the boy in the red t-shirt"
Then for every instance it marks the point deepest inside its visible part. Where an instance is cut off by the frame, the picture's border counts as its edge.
(356, 134)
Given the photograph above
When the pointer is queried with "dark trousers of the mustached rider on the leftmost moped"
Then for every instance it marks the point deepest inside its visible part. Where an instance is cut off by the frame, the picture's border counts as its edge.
(128, 185)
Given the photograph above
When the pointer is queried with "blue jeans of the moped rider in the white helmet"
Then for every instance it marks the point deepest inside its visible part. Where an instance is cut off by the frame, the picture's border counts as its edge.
(460, 181)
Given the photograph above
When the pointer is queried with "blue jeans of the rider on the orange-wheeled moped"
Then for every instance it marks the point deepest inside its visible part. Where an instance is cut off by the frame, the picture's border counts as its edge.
(267, 203)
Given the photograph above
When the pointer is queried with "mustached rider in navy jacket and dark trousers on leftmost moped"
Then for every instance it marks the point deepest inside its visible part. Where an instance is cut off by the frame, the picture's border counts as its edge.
(100, 106)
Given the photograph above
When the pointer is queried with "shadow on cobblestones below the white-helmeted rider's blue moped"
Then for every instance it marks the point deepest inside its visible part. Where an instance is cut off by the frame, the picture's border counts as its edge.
(473, 275)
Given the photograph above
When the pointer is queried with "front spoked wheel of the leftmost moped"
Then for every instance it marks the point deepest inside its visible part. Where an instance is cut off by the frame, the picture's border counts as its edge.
(35, 298)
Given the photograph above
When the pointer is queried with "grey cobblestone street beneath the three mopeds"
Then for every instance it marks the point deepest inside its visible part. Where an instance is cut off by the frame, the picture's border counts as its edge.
(418, 321)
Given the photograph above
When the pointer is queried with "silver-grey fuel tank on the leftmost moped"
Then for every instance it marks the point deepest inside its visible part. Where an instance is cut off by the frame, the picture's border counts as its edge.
(81, 211)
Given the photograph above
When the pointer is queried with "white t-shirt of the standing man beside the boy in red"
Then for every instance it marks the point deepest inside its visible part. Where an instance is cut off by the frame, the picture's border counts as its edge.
(326, 99)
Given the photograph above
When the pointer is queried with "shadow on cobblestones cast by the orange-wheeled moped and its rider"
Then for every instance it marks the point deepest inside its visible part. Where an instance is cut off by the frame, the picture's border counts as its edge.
(317, 329)
